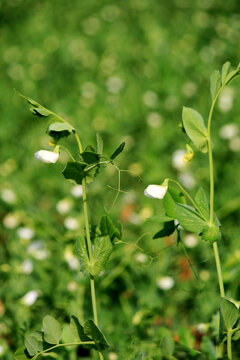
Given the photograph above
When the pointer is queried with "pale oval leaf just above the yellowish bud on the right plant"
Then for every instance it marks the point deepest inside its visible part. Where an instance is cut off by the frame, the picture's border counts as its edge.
(195, 127)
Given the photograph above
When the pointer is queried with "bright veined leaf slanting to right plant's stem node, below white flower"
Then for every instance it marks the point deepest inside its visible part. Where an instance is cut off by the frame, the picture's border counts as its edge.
(188, 218)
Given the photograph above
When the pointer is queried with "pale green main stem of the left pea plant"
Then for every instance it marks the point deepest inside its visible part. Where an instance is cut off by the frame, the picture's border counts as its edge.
(89, 244)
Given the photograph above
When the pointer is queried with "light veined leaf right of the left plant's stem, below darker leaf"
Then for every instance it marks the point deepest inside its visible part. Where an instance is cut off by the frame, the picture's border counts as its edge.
(101, 253)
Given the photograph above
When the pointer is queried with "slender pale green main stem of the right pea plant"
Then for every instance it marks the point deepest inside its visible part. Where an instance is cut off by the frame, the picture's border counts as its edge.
(211, 176)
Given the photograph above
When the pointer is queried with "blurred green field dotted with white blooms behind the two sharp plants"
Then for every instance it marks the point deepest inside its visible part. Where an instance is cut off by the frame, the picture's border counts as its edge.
(123, 69)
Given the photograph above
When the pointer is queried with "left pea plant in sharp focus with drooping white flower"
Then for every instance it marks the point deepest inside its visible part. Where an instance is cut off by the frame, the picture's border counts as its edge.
(94, 247)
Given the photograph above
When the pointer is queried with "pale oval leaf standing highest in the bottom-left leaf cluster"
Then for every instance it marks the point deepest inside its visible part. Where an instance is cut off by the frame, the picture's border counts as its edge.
(52, 330)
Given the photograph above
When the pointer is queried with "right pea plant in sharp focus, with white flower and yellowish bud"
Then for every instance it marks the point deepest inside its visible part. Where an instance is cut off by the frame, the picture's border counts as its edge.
(196, 215)
